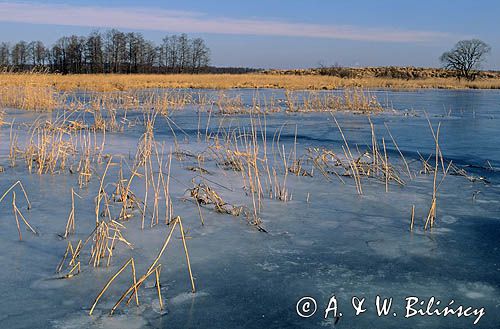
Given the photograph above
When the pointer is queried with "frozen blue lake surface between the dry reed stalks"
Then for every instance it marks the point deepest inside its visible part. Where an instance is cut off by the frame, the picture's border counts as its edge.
(327, 240)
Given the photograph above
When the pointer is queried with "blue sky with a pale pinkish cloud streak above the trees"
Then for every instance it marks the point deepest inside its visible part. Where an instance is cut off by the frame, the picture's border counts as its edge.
(272, 33)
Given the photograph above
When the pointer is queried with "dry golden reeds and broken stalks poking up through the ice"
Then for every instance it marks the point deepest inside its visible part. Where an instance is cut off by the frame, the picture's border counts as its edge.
(137, 190)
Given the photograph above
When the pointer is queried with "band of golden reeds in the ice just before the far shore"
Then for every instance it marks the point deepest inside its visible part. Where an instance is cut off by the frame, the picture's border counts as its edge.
(109, 109)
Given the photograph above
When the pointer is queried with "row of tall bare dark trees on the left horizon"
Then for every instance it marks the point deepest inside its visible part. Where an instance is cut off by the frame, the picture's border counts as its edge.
(110, 52)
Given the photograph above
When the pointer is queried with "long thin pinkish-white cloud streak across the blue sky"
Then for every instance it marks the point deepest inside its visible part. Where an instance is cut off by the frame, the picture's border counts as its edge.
(194, 22)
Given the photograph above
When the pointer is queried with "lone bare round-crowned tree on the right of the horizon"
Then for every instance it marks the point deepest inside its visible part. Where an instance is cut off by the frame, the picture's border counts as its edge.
(466, 57)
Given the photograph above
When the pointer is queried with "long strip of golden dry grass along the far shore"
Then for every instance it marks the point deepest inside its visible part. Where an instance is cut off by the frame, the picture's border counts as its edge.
(116, 82)
